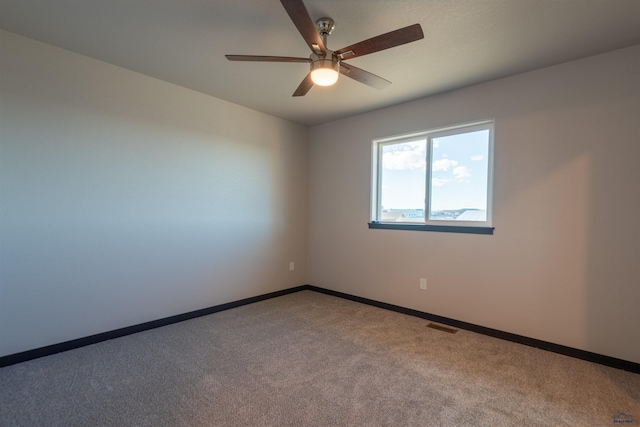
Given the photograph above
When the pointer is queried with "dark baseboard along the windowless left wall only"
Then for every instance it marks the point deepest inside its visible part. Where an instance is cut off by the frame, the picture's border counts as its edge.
(94, 339)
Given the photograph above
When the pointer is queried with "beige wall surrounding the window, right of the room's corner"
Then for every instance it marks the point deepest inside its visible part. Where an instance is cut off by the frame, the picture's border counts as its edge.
(564, 262)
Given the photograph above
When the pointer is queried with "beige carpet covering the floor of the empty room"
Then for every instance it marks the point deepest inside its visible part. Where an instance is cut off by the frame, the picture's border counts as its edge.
(309, 359)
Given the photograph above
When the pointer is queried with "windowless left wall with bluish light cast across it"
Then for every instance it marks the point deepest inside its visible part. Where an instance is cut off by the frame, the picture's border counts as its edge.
(125, 199)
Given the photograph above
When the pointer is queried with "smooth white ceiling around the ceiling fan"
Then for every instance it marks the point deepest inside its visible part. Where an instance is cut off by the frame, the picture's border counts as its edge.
(466, 42)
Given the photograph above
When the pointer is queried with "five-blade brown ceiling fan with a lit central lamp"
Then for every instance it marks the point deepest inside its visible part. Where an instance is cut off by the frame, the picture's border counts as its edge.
(327, 64)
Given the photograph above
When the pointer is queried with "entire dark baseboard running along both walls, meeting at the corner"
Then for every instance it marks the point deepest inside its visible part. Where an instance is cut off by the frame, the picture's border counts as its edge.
(532, 342)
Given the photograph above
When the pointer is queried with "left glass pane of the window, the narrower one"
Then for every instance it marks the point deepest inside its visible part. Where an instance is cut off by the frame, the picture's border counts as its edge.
(403, 181)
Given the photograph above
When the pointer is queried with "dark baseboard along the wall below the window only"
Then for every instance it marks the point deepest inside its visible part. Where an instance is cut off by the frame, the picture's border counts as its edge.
(531, 342)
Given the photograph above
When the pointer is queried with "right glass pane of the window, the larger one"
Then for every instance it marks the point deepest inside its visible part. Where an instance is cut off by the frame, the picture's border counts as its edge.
(459, 177)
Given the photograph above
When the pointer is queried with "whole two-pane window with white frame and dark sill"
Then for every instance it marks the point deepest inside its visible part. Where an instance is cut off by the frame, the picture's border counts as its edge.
(437, 180)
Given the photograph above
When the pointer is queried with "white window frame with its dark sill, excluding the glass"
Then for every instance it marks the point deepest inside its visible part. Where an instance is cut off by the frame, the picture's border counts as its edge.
(479, 227)
